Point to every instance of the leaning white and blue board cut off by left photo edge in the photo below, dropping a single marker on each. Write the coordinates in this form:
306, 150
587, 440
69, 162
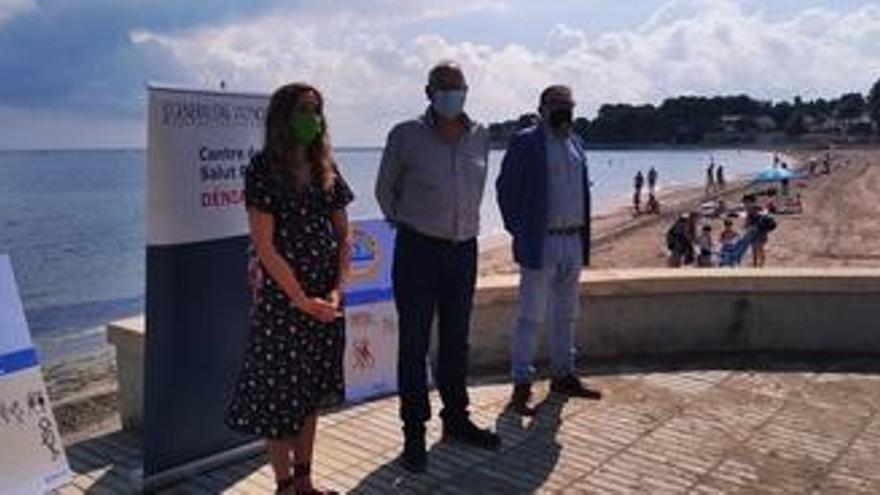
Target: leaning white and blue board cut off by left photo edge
32, 458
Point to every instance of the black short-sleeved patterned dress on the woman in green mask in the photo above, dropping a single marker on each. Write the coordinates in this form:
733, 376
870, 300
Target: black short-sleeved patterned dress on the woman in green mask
293, 364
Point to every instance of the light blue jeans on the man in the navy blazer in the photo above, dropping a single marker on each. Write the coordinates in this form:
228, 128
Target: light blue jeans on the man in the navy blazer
550, 294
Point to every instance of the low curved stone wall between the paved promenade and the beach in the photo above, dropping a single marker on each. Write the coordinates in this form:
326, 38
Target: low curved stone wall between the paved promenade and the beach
630, 313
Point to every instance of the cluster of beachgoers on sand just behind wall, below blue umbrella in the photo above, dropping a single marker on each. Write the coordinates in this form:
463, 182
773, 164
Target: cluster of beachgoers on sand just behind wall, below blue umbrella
690, 241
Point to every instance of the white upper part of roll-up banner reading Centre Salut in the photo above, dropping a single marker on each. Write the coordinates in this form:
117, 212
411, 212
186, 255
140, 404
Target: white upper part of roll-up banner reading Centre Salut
200, 144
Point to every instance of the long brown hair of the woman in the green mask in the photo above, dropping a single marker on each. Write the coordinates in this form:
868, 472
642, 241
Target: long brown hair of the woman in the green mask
279, 146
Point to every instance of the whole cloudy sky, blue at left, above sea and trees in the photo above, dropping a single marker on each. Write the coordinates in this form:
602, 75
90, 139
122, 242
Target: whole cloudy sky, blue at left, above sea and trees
73, 73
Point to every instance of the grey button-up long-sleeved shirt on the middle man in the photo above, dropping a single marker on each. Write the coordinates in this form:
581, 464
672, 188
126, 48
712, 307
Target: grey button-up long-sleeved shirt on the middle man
431, 185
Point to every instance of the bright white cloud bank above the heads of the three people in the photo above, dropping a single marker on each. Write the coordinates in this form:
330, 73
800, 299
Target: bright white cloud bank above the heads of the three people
372, 74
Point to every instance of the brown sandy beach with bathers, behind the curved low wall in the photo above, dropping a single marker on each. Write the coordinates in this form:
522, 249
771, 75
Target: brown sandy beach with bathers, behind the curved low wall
839, 226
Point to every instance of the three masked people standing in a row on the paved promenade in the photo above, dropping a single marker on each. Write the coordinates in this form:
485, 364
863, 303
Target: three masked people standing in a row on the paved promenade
430, 186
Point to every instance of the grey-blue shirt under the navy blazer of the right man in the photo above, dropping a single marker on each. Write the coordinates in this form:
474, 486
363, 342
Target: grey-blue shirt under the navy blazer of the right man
565, 169
